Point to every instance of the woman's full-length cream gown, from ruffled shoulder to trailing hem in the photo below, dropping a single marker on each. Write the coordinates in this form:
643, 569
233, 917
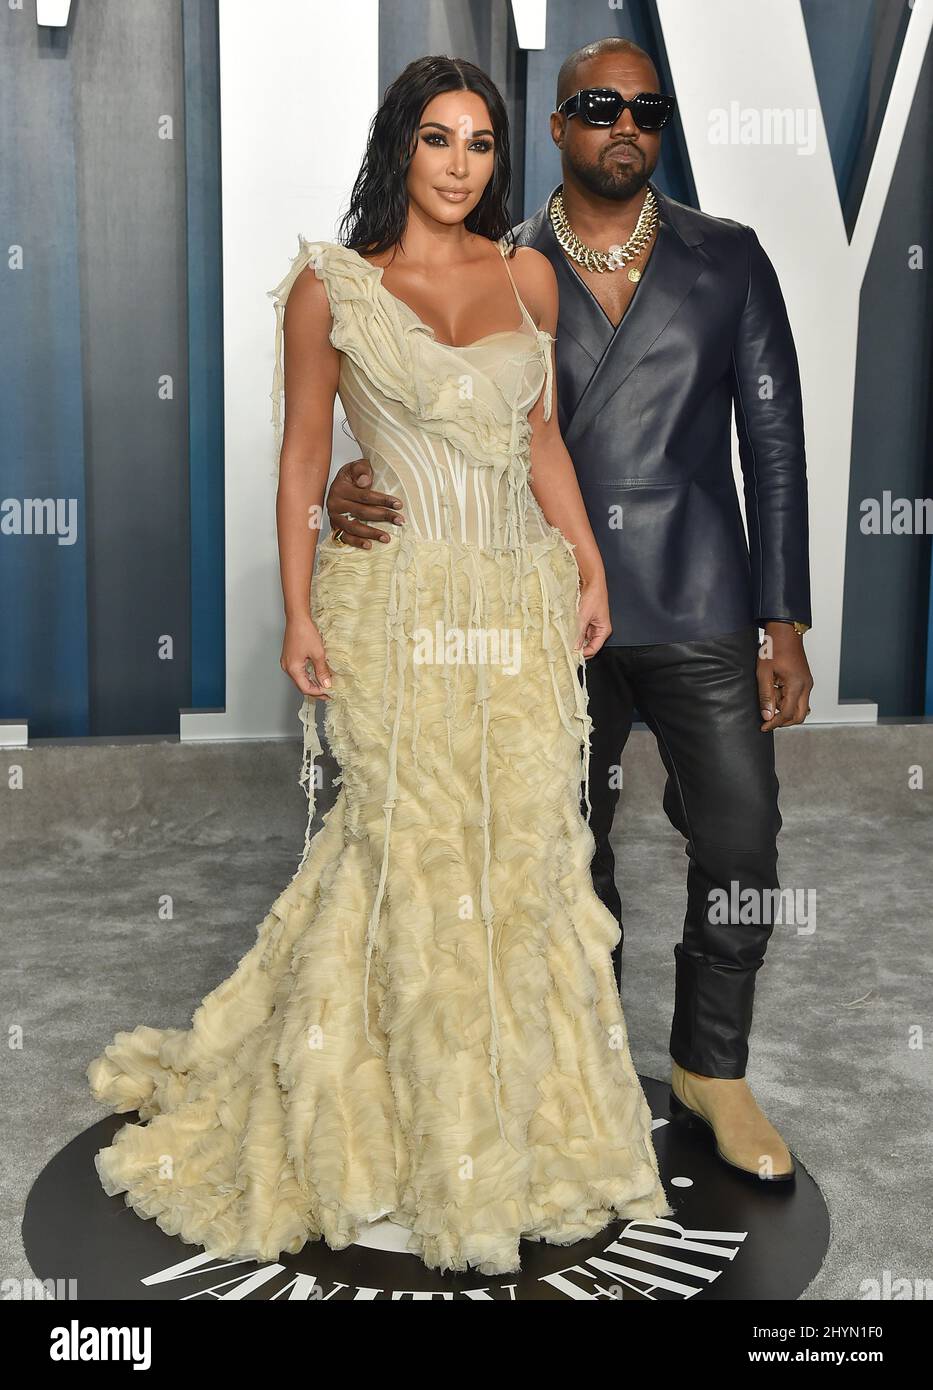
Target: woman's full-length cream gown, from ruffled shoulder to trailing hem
428, 1027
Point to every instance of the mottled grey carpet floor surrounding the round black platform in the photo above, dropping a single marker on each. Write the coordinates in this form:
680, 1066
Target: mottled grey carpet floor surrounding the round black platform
104, 832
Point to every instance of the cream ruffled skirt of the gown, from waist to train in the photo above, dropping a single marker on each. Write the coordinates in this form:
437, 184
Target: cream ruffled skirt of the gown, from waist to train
273, 1121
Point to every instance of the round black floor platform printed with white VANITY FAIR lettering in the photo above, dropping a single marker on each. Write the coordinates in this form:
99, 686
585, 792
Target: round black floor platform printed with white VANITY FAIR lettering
731, 1238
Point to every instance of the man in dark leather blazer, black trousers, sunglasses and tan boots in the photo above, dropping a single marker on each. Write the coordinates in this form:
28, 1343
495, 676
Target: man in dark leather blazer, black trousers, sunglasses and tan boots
650, 368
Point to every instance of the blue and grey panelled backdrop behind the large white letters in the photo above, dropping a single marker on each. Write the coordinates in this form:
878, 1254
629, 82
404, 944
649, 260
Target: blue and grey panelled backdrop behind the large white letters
112, 362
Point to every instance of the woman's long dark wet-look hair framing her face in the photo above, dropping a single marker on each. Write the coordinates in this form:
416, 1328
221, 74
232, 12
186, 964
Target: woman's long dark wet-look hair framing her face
379, 208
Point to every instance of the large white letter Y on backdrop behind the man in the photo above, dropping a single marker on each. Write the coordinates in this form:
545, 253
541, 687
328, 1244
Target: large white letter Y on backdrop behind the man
752, 60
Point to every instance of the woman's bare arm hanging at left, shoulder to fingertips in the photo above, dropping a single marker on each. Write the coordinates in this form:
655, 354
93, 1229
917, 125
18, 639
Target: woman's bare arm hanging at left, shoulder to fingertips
312, 369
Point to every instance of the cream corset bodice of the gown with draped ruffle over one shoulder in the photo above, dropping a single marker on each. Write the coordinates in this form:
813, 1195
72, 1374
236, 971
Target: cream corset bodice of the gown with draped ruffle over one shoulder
446, 427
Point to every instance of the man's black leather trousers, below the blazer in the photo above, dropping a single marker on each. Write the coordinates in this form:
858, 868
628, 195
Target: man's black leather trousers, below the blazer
700, 700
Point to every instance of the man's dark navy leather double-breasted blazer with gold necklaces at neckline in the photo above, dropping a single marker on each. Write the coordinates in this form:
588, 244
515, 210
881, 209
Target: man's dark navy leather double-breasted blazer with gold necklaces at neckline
646, 412
